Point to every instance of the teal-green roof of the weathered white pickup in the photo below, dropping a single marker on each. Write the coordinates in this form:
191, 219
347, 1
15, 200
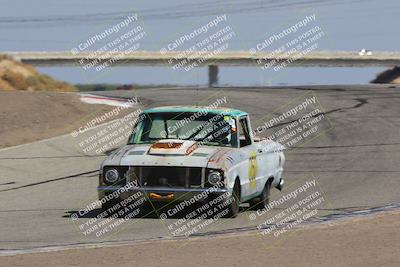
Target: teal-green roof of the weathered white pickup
182, 109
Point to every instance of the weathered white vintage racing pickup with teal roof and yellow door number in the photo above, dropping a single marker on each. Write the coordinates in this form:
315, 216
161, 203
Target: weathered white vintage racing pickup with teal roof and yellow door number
179, 152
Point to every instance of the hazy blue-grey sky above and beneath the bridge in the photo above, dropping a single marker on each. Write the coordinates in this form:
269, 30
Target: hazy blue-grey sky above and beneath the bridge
46, 25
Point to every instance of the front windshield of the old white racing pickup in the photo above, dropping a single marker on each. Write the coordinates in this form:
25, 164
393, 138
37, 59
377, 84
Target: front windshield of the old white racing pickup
207, 129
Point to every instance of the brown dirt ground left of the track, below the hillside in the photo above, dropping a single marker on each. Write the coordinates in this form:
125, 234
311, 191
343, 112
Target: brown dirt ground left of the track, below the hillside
31, 116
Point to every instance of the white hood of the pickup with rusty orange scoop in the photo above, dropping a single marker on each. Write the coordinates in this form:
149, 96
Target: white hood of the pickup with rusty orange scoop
188, 154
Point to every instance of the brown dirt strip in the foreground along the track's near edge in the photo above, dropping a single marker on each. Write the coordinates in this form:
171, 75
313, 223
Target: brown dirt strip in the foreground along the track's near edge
369, 241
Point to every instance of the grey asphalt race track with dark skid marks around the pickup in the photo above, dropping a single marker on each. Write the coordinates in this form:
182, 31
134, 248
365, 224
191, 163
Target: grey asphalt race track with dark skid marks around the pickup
356, 163
